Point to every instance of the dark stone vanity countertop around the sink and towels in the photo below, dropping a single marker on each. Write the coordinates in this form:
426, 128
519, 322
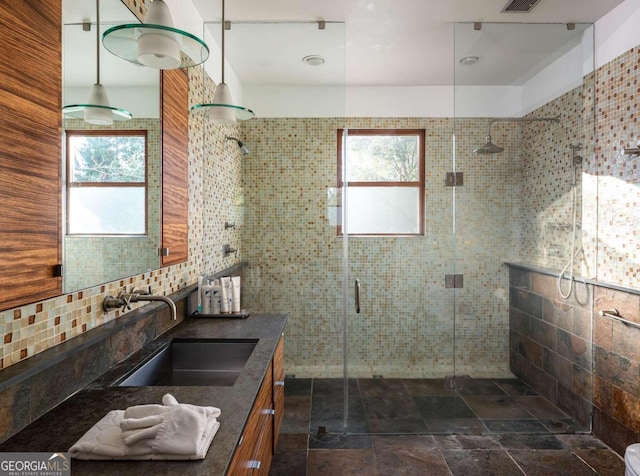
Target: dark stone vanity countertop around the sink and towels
60, 428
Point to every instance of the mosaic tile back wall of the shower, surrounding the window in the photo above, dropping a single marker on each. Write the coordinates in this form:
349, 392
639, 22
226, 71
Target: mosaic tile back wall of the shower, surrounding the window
407, 324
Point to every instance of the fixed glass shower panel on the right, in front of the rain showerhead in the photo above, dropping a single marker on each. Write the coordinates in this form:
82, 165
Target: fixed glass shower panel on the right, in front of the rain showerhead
525, 88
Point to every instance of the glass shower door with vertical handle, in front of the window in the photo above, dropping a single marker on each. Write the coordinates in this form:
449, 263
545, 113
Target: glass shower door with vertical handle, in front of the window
399, 329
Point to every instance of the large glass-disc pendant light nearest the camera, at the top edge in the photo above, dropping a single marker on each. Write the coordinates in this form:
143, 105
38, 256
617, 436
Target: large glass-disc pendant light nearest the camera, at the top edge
155, 42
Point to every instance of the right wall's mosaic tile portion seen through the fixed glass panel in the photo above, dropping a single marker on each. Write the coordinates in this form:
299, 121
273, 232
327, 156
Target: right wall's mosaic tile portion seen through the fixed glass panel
547, 193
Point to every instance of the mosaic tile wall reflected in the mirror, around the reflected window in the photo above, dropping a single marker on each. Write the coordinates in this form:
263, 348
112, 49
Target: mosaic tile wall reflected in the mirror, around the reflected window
90, 260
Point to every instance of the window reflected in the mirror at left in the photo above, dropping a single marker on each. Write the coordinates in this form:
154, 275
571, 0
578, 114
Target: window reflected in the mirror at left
107, 182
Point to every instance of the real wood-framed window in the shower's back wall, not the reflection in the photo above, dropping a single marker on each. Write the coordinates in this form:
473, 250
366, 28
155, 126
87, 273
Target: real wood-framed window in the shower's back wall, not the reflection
385, 181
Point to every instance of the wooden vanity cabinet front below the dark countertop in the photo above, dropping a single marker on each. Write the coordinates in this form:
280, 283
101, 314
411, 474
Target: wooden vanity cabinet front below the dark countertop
258, 441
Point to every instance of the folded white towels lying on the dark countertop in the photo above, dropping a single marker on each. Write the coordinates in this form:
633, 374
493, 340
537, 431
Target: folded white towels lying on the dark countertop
185, 432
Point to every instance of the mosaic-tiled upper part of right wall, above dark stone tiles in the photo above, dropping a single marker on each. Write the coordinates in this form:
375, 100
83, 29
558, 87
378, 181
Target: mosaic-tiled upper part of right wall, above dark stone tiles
608, 198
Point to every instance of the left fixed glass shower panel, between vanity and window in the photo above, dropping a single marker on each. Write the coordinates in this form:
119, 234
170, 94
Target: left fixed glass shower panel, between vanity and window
291, 201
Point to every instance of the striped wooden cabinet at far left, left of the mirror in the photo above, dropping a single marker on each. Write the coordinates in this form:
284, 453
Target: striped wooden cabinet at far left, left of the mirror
30, 145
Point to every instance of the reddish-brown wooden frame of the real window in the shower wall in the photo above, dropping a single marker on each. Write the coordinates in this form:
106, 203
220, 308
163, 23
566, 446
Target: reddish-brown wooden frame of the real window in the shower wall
420, 183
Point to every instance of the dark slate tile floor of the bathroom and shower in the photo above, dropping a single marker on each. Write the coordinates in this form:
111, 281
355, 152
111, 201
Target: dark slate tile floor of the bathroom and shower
420, 427
